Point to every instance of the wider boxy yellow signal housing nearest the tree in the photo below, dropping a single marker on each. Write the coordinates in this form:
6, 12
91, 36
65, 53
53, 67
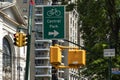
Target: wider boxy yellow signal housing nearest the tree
76, 58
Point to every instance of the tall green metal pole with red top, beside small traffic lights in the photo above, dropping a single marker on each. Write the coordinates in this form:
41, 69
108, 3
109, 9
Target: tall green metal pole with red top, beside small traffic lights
29, 39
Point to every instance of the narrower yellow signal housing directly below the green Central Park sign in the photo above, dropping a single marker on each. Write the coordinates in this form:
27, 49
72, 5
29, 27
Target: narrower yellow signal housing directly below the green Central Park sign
55, 55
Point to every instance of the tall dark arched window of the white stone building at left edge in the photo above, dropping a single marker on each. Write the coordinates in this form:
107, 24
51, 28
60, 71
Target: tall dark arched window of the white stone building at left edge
7, 60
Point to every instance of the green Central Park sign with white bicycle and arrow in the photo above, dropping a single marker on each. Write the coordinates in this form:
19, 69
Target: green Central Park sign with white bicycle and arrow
53, 22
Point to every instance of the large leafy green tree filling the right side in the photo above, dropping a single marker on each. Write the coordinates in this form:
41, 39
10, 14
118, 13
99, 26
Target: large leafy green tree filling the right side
100, 25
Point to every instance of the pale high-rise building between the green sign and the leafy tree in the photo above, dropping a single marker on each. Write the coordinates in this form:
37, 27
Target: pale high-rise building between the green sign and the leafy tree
71, 35
